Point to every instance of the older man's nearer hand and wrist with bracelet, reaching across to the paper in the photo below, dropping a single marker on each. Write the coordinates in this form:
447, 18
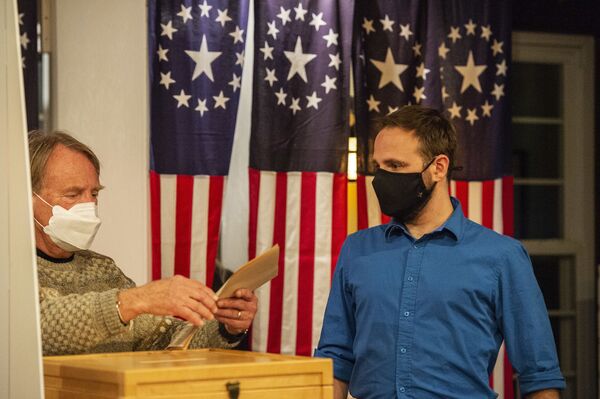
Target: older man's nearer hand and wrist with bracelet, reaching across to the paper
176, 296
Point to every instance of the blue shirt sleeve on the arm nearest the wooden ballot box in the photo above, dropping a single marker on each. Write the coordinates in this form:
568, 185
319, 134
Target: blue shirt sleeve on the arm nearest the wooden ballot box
337, 334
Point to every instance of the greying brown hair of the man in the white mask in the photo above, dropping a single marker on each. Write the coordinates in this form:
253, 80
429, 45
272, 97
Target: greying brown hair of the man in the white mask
41, 145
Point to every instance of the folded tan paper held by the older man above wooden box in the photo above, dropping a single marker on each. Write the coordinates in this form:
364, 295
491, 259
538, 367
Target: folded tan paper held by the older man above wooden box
252, 275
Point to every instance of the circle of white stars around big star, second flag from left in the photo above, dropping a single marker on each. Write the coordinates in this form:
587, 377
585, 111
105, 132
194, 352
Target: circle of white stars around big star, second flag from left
299, 61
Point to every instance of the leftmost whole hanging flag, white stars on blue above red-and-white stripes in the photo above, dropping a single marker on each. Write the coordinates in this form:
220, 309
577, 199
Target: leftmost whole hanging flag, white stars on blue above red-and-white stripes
196, 54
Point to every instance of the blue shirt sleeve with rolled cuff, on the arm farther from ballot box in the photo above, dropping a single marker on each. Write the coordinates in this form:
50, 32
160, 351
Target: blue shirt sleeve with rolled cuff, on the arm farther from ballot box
525, 325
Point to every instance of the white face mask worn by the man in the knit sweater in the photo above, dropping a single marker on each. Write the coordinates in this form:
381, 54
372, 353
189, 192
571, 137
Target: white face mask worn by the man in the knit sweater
72, 229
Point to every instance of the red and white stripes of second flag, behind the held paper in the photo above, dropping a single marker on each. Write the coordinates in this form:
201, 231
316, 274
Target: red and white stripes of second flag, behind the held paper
306, 214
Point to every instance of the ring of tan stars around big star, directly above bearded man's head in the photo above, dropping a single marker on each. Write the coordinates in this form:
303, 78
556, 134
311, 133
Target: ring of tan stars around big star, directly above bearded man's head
397, 67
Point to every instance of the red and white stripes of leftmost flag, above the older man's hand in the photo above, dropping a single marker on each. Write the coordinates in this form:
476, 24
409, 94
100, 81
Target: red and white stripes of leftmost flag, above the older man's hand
185, 214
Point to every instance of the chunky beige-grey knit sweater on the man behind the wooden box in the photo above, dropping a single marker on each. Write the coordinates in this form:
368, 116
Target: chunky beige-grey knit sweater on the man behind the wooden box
78, 312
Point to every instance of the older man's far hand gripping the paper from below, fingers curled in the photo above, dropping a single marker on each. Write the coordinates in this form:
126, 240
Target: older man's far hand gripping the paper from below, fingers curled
237, 312
